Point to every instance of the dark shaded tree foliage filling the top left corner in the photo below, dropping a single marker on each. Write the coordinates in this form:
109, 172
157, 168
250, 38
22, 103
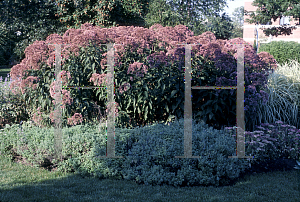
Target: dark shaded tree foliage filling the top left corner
33, 20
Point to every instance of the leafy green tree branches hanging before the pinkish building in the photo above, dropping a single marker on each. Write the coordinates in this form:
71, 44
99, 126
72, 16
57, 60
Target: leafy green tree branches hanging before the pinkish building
273, 9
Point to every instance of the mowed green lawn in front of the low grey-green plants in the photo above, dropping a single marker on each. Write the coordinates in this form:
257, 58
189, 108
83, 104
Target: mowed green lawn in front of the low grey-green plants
19, 182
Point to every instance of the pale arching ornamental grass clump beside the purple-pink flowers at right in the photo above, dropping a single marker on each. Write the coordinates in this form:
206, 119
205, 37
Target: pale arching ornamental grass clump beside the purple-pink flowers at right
284, 91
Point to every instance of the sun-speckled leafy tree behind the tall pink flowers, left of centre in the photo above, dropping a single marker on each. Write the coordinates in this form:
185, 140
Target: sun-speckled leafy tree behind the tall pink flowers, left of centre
106, 13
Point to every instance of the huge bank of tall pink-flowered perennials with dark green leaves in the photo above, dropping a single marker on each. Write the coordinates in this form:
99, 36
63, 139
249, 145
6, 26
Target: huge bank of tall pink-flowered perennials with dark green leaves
149, 74
